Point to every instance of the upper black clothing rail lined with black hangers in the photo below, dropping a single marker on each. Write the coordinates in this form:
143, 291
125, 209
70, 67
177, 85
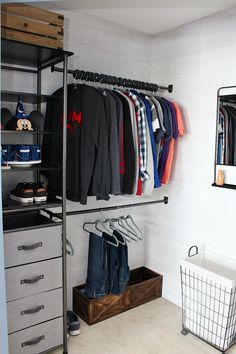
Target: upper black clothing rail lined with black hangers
114, 80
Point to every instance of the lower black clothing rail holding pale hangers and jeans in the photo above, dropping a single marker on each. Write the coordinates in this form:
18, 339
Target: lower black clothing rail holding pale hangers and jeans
115, 207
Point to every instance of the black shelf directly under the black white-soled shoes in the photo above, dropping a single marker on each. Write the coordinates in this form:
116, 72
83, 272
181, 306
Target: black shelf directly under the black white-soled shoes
14, 207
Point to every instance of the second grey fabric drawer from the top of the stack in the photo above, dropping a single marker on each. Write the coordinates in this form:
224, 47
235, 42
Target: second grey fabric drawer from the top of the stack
33, 278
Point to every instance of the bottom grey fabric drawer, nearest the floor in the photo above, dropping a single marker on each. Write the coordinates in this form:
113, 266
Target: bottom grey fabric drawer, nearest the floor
37, 339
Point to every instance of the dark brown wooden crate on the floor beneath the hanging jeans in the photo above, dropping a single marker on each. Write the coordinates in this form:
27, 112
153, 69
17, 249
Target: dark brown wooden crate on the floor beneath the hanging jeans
145, 285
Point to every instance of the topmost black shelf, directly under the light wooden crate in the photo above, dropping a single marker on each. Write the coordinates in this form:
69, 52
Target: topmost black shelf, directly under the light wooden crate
30, 55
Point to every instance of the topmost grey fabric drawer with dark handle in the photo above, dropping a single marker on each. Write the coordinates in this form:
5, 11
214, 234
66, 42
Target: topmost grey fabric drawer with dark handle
32, 245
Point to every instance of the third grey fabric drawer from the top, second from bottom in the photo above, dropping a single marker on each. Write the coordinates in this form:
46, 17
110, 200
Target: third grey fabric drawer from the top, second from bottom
34, 309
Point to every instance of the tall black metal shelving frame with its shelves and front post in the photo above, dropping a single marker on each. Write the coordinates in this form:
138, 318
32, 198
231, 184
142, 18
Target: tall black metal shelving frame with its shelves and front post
32, 59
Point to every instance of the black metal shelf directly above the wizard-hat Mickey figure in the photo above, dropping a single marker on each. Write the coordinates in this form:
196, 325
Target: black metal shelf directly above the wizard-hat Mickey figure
27, 97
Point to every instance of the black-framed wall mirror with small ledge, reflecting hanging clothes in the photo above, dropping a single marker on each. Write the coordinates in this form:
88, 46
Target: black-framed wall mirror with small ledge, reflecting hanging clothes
225, 149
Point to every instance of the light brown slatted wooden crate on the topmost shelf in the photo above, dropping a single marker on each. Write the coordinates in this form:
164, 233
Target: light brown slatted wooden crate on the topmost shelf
28, 24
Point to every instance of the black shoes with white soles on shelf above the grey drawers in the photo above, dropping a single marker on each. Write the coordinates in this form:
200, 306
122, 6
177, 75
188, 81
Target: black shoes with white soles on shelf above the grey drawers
29, 193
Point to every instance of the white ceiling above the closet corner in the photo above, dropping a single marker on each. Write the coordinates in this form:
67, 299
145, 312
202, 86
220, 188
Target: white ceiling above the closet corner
149, 16
